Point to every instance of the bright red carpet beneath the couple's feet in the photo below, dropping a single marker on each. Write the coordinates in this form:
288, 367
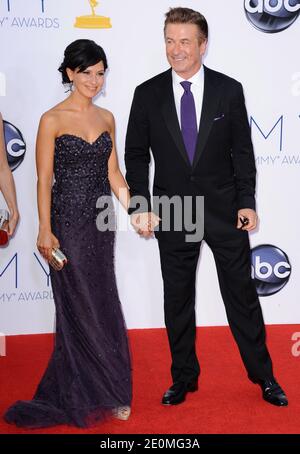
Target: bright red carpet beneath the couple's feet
225, 403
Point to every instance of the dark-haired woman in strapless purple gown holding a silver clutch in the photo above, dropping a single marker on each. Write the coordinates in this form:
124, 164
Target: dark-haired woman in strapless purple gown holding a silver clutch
89, 374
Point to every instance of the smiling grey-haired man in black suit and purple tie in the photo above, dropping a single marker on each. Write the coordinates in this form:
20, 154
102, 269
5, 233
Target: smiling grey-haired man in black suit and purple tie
195, 122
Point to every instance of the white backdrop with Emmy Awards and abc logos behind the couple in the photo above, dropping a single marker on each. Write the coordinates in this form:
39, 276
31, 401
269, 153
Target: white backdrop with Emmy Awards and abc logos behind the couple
254, 41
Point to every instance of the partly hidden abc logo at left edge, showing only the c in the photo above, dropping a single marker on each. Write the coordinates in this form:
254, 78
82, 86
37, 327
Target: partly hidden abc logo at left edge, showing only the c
15, 145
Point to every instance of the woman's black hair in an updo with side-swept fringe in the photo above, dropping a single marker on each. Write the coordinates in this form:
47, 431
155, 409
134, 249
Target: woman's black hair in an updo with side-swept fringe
81, 54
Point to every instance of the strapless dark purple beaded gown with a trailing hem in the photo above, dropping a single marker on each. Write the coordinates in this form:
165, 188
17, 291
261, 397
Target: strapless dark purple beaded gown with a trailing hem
89, 372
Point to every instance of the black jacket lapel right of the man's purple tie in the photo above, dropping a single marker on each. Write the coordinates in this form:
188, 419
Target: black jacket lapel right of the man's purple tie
211, 99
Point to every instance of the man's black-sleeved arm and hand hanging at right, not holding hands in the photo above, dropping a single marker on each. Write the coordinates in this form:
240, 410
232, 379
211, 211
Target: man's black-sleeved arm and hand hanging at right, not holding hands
243, 161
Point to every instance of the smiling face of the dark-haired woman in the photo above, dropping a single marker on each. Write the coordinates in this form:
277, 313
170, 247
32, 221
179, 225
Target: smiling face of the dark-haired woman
88, 82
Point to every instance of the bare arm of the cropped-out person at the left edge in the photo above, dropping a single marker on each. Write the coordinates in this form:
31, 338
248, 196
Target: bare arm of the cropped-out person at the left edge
7, 185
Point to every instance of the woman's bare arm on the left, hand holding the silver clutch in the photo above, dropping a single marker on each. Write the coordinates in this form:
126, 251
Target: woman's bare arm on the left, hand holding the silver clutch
45, 146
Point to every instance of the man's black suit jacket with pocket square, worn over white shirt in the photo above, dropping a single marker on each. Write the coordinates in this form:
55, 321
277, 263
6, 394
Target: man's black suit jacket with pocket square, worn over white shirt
223, 170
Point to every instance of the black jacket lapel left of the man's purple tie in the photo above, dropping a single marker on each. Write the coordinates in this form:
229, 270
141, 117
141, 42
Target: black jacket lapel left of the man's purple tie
170, 115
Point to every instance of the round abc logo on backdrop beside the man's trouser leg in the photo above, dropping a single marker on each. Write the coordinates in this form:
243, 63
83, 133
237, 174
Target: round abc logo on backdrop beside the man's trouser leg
271, 269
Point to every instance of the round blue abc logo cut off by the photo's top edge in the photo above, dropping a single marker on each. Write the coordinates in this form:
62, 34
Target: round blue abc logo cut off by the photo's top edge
272, 16
